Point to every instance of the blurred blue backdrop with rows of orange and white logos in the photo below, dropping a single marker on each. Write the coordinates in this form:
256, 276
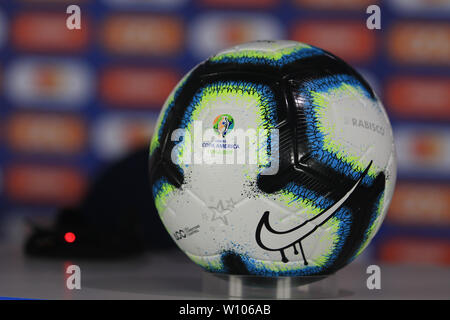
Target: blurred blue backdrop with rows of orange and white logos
72, 101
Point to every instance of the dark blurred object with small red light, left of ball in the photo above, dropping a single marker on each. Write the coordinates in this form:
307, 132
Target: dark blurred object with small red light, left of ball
116, 218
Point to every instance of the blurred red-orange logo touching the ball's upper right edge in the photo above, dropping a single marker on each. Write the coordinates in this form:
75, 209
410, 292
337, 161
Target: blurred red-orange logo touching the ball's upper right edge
349, 40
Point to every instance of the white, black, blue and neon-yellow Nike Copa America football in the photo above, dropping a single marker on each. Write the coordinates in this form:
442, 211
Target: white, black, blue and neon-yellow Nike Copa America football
272, 158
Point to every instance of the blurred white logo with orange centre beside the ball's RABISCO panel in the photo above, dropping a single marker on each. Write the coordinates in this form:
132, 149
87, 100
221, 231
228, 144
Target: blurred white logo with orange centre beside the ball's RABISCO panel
423, 149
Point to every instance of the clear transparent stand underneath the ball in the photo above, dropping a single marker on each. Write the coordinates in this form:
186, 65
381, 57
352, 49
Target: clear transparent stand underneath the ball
255, 287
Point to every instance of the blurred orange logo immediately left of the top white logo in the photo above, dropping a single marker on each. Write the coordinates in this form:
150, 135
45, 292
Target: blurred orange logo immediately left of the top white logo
142, 34
